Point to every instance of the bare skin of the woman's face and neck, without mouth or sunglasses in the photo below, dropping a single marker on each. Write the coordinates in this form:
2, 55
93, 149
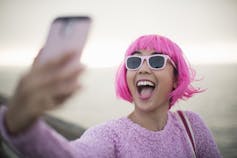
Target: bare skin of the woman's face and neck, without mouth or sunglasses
151, 113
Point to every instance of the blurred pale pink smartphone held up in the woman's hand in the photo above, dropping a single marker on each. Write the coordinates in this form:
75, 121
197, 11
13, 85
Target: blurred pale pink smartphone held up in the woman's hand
66, 34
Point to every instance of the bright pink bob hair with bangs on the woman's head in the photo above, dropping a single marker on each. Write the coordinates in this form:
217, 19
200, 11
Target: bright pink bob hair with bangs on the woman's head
184, 73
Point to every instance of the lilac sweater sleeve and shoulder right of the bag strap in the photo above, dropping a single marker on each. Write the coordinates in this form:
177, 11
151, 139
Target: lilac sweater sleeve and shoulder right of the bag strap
205, 143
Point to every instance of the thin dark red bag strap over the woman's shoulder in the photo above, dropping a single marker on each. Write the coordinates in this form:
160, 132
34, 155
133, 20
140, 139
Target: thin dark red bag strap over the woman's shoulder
188, 129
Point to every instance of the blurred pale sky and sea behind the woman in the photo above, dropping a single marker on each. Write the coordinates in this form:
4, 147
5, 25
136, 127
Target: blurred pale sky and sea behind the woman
205, 30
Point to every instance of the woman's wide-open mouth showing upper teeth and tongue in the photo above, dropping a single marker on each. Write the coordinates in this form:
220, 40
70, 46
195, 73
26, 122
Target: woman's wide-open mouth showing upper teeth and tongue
145, 88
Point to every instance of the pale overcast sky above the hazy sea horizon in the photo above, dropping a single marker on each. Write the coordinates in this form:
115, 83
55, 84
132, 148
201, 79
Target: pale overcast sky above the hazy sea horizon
203, 28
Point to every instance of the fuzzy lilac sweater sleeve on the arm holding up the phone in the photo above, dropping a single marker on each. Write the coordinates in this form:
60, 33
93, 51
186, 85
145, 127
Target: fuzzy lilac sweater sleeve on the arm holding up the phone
40, 141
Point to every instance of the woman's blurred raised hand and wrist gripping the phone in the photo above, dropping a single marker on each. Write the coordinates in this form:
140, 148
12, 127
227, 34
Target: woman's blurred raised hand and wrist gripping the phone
43, 88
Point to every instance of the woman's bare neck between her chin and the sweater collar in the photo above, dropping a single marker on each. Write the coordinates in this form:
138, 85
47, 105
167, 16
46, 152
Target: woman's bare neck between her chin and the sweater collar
154, 120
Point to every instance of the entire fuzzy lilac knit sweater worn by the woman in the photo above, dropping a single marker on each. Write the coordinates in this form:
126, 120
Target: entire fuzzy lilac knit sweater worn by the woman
120, 138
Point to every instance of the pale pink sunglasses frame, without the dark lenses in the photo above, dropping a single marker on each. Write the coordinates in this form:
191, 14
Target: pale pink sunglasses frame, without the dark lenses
147, 57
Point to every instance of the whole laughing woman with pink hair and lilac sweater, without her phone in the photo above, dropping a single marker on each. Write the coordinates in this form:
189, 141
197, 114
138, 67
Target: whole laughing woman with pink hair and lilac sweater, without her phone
153, 77
